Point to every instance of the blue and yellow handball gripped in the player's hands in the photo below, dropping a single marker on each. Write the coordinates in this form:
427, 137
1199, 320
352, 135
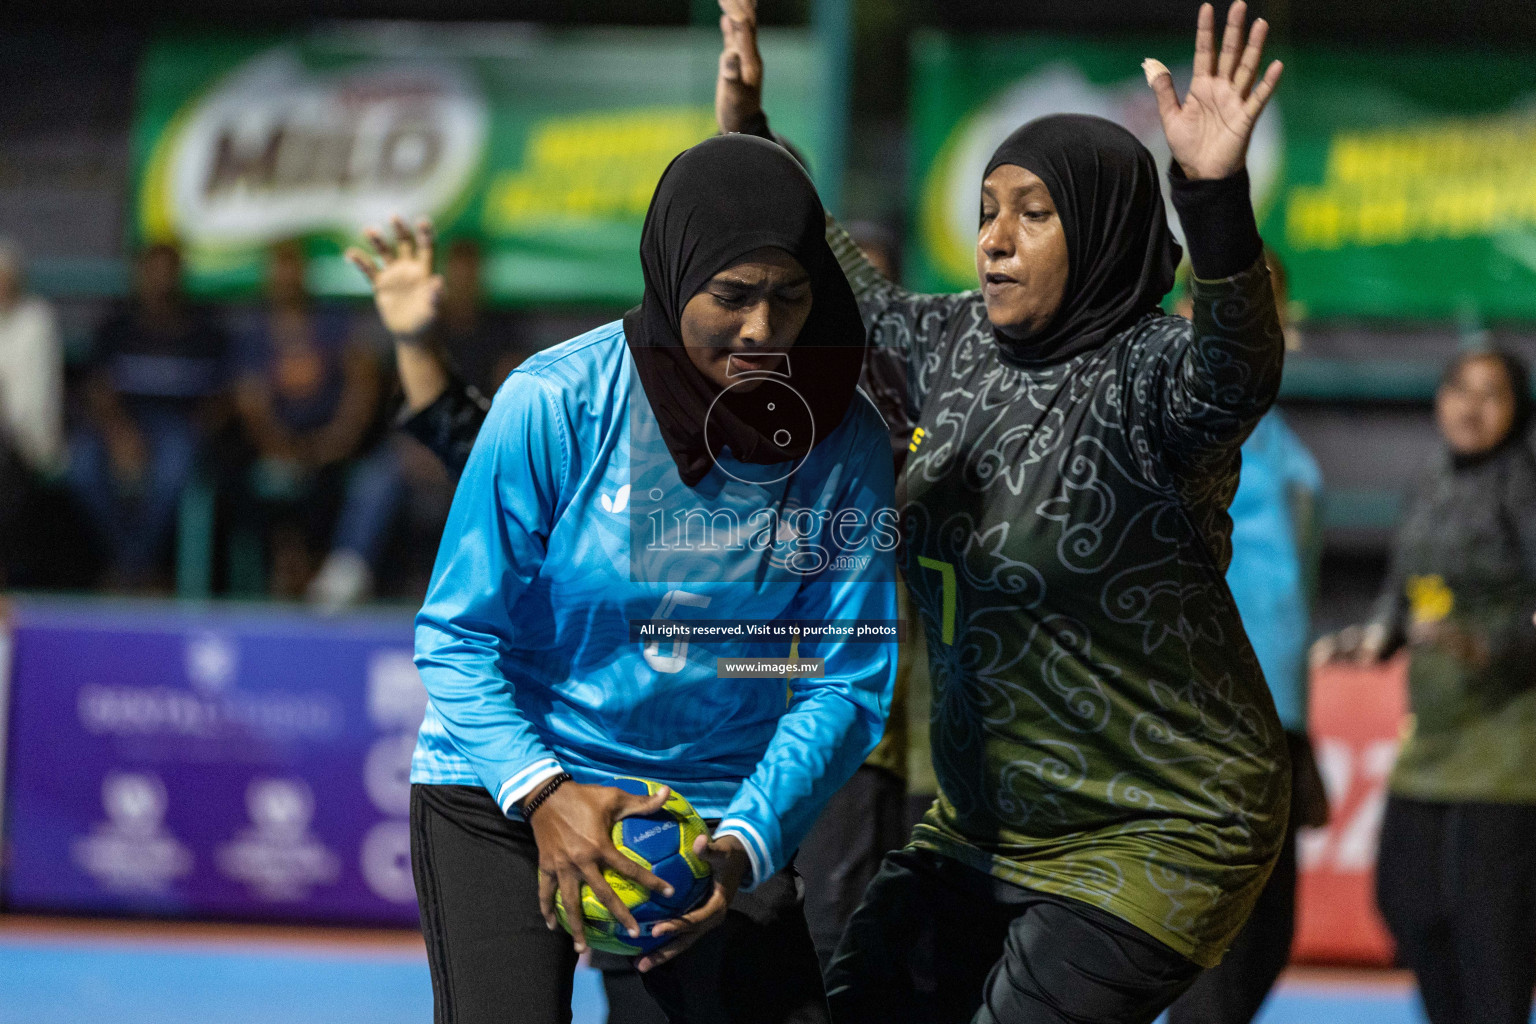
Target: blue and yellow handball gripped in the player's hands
663, 844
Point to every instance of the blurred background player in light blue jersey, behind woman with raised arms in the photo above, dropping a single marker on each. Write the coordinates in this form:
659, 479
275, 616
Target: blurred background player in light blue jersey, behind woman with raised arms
1274, 558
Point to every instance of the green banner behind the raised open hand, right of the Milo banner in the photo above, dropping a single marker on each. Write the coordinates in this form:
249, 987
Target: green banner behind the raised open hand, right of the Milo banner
1392, 187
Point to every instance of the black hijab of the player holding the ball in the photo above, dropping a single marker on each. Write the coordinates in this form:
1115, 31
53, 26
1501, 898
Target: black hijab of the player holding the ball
717, 203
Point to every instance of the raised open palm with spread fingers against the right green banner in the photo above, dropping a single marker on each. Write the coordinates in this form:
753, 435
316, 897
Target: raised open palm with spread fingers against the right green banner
1210, 131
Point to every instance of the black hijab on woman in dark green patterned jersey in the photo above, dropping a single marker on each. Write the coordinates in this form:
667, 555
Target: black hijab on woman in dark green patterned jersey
1122, 256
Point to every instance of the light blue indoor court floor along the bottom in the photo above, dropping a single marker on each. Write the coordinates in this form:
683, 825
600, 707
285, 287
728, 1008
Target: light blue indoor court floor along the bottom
58, 971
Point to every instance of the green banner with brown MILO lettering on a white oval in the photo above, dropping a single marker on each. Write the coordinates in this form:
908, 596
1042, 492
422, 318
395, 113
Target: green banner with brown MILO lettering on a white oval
541, 145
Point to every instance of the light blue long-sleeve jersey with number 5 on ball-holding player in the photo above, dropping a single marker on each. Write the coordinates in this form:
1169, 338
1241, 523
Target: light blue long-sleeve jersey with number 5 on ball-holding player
569, 523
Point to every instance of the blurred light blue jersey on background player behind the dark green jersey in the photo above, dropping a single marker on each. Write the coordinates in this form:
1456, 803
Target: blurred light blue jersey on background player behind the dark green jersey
1266, 575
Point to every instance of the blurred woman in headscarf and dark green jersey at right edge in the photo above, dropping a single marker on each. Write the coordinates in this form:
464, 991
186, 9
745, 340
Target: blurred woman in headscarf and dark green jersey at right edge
1457, 873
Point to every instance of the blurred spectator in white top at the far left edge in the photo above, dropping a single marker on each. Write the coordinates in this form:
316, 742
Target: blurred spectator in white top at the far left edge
31, 401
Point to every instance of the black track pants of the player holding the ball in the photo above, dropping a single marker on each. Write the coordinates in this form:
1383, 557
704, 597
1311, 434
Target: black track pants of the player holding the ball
494, 962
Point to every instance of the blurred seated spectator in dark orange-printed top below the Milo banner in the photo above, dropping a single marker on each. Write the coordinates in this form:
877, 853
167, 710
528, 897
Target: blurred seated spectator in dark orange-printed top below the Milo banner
308, 395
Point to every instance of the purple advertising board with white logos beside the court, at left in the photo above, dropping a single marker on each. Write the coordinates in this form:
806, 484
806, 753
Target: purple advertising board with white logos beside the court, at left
234, 764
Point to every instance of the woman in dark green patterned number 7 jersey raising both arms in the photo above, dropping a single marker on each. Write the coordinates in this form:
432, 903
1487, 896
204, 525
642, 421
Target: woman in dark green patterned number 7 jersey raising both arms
1113, 776
